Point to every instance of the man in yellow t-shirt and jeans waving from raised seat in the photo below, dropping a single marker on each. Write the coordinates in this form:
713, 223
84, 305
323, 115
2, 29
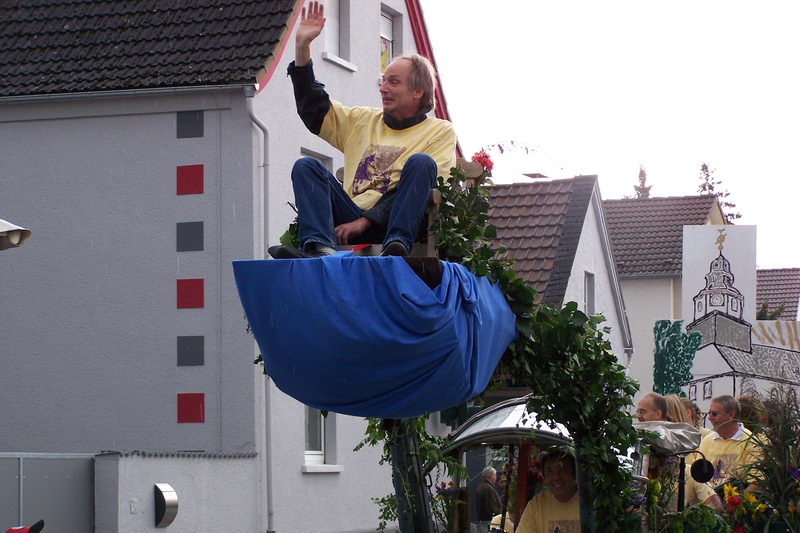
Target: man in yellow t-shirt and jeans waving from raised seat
392, 155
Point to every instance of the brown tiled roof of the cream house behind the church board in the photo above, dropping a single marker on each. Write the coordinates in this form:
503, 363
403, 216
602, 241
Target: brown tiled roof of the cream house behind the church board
647, 233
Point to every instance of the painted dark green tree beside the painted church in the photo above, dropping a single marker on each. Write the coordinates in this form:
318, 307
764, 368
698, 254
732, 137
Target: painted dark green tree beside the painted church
674, 355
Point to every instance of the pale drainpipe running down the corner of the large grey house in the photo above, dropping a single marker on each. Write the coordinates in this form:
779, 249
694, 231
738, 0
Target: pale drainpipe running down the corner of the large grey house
260, 234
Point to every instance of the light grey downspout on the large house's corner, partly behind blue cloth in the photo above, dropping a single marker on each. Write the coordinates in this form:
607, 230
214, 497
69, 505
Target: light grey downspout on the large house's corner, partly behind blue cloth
259, 251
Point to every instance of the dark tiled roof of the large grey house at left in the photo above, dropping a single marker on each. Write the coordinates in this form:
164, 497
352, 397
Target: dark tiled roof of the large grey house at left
67, 46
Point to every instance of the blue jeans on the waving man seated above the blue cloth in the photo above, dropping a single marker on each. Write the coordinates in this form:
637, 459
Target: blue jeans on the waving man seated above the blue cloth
322, 203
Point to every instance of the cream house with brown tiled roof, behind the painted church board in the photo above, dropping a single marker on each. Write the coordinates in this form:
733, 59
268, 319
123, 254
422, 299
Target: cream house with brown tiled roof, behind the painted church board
647, 239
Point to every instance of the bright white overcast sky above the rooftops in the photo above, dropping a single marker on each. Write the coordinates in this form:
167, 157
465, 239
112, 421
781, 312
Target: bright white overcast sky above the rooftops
603, 87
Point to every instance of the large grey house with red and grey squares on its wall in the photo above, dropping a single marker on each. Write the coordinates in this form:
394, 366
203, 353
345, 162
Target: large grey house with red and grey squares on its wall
148, 144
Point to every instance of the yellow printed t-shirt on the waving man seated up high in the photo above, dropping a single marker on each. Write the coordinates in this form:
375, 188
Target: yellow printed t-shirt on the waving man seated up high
374, 154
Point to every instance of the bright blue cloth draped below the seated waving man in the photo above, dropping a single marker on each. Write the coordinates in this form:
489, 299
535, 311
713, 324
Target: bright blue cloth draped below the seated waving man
366, 336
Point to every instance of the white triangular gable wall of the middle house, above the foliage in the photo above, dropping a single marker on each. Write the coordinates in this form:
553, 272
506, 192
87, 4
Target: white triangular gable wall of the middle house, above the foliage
590, 256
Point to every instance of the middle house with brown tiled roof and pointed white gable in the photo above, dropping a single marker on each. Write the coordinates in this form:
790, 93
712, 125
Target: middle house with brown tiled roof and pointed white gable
556, 233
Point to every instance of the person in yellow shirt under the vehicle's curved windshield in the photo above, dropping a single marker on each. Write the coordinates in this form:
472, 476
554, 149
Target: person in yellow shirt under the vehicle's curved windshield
555, 508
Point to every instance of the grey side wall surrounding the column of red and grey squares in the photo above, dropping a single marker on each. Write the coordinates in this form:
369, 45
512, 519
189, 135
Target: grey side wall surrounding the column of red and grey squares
90, 320
